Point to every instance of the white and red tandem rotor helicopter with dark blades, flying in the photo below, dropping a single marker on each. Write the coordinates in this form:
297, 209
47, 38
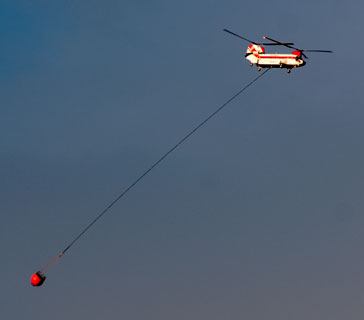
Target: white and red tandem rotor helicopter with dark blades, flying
257, 56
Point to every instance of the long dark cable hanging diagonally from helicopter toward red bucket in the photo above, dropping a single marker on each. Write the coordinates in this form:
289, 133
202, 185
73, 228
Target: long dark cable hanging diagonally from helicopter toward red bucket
122, 194
